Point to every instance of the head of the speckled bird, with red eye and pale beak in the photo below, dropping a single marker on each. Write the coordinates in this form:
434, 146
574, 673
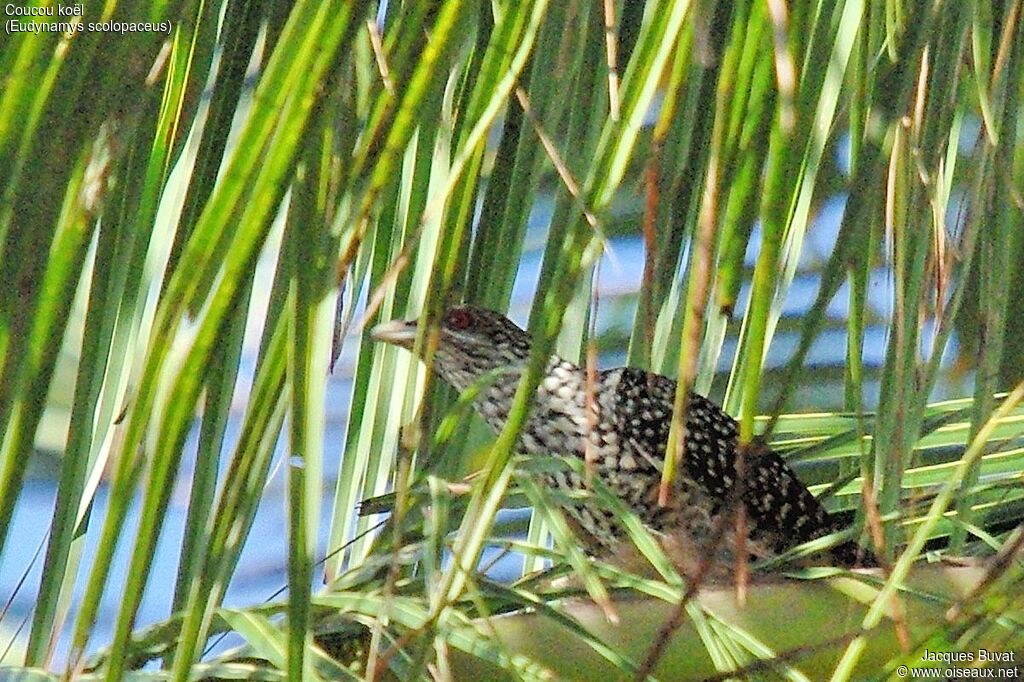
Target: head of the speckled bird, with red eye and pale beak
474, 342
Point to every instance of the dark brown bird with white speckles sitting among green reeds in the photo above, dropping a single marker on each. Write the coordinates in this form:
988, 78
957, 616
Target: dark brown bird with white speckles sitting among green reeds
622, 425
